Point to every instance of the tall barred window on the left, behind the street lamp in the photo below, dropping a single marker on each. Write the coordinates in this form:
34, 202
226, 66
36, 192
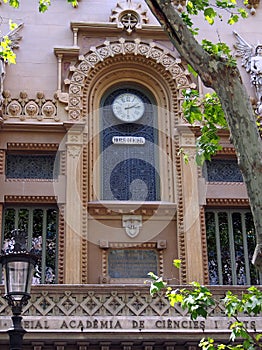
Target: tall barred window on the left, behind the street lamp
41, 225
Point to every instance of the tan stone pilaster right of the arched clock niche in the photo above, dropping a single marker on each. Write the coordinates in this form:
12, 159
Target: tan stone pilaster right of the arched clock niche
191, 209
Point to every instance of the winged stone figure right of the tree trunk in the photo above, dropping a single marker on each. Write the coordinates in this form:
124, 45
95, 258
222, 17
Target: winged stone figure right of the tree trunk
252, 61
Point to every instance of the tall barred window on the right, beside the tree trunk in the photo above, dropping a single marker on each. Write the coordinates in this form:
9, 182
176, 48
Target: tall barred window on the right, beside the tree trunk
231, 242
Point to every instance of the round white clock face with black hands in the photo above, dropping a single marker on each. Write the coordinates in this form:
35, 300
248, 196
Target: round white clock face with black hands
128, 107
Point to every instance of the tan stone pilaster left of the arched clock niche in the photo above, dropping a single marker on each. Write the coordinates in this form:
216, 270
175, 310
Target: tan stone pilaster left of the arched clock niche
73, 207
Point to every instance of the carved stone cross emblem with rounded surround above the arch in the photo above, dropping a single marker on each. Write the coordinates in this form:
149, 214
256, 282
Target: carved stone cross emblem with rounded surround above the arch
129, 15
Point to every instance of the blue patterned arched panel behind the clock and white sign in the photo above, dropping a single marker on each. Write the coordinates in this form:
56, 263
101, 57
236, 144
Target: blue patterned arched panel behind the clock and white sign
129, 171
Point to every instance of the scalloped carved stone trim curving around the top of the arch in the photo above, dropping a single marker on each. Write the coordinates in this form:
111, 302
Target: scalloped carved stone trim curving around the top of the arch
87, 62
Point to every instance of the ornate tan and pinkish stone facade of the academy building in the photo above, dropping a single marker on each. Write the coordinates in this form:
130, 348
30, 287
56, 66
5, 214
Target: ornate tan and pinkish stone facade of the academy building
53, 106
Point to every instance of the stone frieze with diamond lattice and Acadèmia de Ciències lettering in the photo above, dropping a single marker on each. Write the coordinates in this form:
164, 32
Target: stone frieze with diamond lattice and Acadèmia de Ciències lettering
86, 308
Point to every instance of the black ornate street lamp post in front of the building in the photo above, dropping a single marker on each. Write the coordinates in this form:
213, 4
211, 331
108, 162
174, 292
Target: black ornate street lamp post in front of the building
18, 266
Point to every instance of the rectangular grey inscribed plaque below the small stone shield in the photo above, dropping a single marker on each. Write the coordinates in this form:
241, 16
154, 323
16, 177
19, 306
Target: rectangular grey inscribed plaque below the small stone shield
132, 263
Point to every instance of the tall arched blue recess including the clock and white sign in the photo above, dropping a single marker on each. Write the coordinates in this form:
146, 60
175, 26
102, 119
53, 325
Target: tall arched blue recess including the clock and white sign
129, 145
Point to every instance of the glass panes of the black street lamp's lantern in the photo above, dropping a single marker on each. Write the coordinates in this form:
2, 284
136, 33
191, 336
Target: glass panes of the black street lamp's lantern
20, 276
